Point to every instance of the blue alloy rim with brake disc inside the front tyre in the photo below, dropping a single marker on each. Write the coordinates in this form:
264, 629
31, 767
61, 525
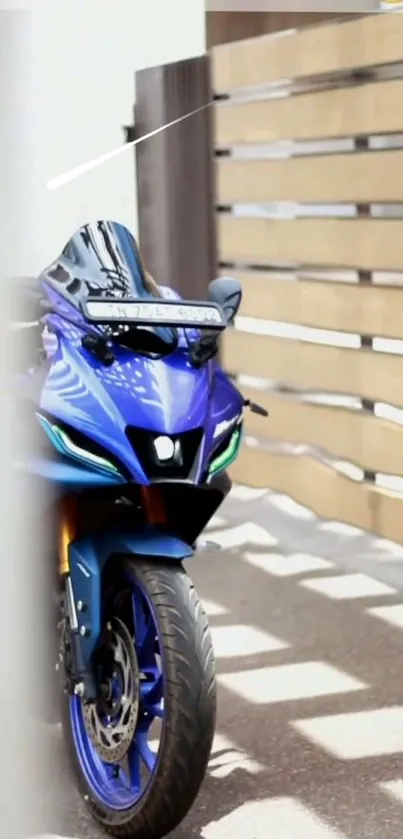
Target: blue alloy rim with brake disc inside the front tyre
111, 738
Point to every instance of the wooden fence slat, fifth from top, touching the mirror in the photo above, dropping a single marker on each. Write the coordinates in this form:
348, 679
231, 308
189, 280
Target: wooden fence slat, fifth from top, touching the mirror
342, 307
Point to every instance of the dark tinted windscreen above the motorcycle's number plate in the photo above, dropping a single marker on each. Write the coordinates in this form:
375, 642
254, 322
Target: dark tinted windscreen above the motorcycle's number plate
102, 259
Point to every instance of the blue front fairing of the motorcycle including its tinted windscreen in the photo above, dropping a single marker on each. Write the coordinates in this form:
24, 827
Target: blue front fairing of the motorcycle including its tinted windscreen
162, 396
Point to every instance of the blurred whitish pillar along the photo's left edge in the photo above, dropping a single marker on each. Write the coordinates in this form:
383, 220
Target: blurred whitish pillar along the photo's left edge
22, 764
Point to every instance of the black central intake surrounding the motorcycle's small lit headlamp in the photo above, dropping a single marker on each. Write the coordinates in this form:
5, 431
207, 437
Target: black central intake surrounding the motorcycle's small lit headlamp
179, 467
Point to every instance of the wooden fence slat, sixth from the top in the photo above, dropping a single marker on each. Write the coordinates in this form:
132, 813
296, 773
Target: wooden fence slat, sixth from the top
313, 367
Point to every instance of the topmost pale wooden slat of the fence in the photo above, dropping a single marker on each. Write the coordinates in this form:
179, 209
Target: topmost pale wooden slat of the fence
371, 40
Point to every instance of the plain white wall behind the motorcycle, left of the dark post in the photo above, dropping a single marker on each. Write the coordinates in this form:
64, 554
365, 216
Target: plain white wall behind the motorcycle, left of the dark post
85, 55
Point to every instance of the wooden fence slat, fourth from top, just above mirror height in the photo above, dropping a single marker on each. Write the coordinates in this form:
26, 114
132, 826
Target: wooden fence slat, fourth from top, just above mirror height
345, 243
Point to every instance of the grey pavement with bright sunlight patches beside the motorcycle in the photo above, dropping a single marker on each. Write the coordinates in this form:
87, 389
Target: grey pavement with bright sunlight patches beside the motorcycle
307, 621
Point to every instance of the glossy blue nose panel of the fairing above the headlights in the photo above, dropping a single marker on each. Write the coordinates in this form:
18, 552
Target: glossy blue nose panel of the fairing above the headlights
166, 396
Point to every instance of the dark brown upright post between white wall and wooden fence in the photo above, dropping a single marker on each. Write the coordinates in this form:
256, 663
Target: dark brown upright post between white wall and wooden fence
175, 175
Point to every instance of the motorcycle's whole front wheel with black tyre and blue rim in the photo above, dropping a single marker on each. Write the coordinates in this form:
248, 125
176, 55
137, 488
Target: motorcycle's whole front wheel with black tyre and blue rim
140, 753
